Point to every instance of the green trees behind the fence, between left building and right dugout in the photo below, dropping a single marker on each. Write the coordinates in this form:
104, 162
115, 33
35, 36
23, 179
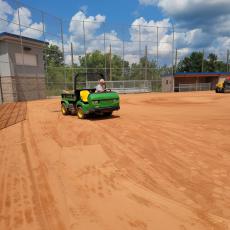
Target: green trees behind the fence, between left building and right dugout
112, 66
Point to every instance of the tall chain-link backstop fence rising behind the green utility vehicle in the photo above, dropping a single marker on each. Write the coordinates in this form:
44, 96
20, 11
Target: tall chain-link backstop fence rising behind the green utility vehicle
143, 50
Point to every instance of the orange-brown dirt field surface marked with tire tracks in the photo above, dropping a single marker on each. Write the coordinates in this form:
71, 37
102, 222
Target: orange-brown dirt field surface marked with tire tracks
160, 163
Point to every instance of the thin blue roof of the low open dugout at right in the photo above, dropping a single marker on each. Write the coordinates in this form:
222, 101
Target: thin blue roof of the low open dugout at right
197, 74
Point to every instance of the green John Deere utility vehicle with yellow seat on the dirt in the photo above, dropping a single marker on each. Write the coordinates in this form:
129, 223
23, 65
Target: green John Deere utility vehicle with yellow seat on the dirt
87, 101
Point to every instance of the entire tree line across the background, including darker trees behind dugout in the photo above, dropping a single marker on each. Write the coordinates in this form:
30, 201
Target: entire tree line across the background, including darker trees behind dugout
113, 67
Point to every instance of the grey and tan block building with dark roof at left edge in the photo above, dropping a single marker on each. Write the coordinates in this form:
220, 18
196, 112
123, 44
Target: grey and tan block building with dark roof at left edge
22, 74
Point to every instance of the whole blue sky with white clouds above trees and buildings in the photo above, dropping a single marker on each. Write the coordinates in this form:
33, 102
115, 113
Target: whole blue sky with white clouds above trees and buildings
199, 25
